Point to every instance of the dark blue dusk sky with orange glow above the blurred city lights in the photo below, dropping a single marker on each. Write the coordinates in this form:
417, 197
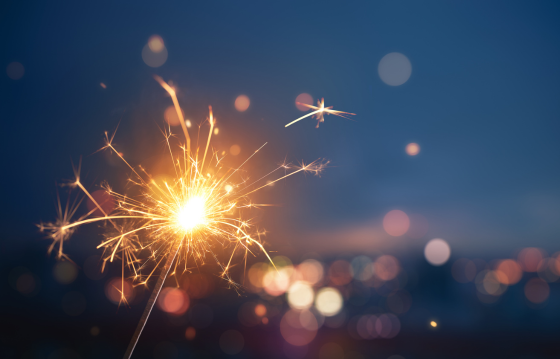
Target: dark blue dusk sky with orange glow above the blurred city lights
482, 102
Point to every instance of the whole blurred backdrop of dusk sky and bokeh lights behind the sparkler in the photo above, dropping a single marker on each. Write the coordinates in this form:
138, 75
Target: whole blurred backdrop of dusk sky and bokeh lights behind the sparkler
433, 233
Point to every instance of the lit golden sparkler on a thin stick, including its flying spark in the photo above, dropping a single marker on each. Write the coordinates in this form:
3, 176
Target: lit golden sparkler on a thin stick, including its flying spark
200, 209
